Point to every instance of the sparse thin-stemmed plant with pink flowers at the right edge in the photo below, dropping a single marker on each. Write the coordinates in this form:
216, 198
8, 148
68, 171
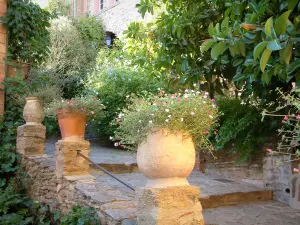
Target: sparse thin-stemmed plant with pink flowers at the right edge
290, 138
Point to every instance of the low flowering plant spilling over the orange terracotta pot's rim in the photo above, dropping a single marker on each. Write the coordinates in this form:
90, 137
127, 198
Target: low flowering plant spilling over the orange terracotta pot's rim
87, 104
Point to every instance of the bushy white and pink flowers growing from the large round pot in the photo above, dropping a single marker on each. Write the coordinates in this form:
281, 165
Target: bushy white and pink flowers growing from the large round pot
191, 112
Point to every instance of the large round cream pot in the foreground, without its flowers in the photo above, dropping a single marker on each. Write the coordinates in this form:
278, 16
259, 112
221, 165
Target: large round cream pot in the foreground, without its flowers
166, 158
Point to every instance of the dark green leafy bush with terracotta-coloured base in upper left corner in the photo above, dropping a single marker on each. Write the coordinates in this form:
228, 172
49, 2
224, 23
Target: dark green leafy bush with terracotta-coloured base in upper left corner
28, 36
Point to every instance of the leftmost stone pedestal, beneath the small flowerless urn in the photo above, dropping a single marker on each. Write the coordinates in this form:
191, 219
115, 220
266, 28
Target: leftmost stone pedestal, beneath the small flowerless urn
31, 139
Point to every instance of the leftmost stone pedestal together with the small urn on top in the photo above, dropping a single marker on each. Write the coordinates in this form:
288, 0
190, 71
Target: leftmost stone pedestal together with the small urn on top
32, 135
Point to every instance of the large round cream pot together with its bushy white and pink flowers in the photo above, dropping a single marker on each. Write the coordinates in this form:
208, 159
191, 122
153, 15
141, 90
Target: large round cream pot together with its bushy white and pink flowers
165, 130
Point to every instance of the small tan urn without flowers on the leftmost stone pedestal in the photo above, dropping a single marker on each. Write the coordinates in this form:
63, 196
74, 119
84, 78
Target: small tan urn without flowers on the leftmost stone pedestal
33, 111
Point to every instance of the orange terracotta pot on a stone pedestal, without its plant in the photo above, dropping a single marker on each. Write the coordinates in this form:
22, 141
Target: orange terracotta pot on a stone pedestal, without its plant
71, 123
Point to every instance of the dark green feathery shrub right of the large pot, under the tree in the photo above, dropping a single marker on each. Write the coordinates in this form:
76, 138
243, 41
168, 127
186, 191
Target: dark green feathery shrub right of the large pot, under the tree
241, 129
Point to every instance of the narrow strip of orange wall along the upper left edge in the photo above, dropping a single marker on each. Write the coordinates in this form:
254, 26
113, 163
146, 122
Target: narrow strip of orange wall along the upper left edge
3, 41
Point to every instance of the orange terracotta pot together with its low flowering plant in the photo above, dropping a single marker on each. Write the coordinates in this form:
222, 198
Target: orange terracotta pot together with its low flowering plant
72, 114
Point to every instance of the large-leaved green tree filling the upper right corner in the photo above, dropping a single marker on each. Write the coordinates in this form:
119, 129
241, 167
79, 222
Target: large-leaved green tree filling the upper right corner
235, 32
